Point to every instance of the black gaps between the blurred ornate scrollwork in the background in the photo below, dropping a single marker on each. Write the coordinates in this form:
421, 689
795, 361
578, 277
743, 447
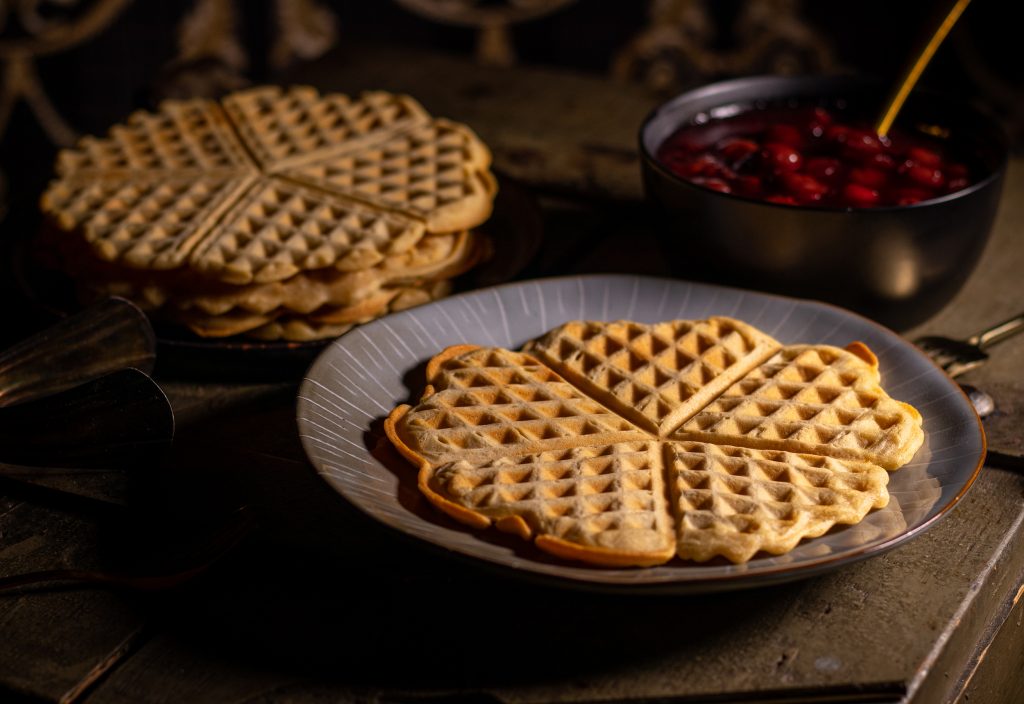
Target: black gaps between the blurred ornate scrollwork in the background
132, 64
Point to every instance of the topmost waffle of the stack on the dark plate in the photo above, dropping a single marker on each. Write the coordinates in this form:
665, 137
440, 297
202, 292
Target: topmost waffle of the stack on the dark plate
437, 181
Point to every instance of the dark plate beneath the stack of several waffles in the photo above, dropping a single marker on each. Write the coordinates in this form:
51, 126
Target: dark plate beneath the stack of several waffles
515, 230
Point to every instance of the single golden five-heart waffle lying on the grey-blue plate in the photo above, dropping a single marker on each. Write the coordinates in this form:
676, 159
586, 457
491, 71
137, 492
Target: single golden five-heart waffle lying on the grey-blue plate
622, 444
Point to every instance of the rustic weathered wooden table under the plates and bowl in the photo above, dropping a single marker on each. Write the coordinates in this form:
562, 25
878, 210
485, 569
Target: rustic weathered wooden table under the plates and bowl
320, 604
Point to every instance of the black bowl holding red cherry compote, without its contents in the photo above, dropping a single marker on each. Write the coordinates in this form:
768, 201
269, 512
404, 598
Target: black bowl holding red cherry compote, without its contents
897, 265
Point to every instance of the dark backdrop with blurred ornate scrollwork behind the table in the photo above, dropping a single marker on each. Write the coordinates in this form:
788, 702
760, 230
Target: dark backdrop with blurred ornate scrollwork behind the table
206, 48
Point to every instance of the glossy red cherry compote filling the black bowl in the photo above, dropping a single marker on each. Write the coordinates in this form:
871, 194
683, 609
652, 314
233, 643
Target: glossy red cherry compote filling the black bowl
814, 156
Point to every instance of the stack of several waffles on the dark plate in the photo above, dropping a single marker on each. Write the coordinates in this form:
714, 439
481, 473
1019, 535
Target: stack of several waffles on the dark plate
275, 213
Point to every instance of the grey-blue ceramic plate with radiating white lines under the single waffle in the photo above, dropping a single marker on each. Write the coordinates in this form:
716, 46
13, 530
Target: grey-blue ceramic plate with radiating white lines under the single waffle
357, 382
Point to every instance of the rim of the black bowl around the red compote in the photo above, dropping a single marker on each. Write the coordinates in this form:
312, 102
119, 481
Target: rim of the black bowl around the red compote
727, 87
